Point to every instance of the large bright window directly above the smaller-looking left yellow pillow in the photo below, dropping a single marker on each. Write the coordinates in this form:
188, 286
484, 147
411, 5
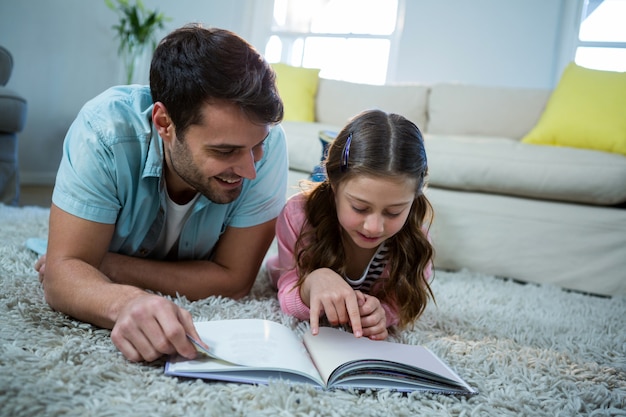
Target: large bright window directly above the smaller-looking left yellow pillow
349, 40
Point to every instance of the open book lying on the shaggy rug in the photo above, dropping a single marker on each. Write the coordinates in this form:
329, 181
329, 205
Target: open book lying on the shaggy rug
255, 351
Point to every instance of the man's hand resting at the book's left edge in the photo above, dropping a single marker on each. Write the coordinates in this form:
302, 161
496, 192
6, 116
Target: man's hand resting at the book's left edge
151, 326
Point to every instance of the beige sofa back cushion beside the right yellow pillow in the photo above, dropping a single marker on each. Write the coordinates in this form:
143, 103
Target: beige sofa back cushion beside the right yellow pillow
458, 109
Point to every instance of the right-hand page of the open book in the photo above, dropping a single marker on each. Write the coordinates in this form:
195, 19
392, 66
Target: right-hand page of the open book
333, 347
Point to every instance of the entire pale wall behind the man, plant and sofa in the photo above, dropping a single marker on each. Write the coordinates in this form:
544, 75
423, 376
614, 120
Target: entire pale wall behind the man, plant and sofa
65, 52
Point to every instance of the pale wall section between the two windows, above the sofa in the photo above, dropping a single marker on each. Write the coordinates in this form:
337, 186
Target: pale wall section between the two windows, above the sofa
488, 42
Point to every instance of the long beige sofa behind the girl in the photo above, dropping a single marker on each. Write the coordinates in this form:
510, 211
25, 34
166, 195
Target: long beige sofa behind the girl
535, 213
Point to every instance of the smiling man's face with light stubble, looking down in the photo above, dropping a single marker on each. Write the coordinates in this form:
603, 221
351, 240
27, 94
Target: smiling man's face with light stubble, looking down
214, 156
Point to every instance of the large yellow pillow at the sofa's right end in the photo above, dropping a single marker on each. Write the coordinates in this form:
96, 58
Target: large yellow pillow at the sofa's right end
587, 109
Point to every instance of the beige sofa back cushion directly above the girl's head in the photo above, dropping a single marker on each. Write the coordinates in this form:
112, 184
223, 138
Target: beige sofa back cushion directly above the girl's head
339, 101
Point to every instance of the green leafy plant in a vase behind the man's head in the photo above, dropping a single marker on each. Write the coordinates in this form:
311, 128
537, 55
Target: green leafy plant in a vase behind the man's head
136, 31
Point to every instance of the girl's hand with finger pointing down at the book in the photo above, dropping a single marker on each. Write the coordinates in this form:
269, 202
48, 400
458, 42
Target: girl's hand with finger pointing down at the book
325, 292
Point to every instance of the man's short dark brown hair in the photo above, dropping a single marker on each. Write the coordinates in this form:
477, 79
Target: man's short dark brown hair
193, 65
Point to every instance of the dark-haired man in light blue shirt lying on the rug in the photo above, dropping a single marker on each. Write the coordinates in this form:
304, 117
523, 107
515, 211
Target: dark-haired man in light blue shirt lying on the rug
173, 189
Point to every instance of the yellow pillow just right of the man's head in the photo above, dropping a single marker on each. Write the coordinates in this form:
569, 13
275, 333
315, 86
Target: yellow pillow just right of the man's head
297, 87
